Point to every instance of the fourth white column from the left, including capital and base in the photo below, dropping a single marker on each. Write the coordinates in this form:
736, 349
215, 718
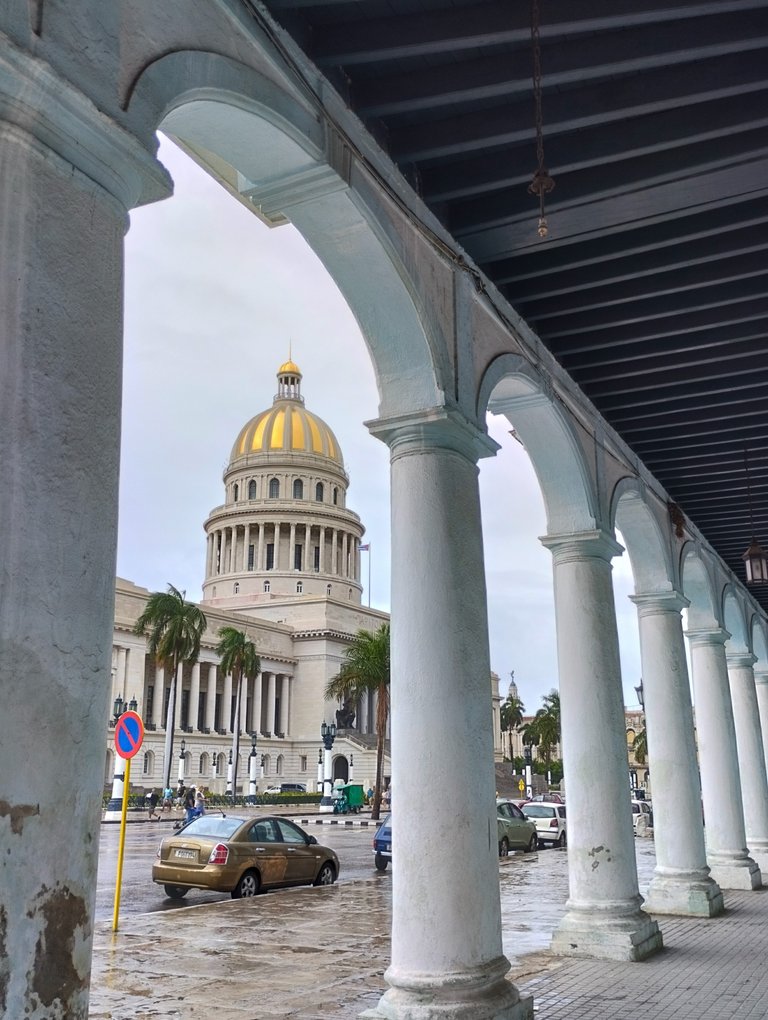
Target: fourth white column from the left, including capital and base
682, 883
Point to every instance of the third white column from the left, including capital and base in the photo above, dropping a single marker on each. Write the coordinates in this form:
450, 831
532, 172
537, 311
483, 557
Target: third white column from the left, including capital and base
604, 916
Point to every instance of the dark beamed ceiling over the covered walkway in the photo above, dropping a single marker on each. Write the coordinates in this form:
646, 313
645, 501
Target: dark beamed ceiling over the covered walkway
650, 288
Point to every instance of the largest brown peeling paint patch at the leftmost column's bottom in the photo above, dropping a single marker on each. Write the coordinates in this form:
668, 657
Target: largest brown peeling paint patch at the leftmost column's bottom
57, 984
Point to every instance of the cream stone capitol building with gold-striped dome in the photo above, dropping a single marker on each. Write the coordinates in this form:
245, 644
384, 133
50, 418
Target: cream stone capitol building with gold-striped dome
282, 564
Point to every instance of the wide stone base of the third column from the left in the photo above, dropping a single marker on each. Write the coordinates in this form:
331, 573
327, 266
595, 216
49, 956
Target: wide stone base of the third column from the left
598, 936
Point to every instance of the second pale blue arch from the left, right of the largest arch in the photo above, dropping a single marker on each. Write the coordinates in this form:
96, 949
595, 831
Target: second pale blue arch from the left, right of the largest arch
513, 388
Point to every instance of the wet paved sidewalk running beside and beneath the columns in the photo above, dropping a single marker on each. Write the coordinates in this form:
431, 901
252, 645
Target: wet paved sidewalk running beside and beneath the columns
321, 955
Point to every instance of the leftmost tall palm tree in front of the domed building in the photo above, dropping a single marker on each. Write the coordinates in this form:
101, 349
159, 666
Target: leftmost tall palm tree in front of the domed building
175, 630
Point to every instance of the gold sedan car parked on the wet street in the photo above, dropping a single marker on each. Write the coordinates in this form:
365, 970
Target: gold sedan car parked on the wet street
242, 856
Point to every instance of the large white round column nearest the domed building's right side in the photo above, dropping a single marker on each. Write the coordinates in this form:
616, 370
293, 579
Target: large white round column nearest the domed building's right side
447, 958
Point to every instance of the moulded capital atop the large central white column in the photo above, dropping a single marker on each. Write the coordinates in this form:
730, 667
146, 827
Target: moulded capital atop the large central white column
435, 429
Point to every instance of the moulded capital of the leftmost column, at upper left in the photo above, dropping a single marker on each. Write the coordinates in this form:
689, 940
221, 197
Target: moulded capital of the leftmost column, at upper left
65, 121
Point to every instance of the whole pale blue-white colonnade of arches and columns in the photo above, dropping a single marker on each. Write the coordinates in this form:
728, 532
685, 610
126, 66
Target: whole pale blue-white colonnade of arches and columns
77, 142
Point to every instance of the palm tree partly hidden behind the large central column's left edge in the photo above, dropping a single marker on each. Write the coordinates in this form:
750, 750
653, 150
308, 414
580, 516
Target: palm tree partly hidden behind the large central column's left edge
367, 670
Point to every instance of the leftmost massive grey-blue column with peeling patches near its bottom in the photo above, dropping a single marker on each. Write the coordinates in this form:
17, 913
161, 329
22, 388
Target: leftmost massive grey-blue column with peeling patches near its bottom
69, 178
